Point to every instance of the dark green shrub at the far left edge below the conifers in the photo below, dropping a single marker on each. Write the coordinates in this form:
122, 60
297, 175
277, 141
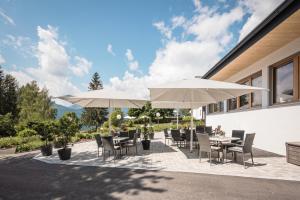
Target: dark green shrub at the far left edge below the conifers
7, 125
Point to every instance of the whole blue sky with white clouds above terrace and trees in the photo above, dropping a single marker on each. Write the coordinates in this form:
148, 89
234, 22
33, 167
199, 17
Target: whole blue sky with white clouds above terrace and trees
132, 44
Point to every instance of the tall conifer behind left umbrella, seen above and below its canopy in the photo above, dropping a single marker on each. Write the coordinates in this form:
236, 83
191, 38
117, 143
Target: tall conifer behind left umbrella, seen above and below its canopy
94, 116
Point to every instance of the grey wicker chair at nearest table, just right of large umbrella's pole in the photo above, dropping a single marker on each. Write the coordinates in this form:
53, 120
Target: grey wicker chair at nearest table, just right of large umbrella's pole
204, 146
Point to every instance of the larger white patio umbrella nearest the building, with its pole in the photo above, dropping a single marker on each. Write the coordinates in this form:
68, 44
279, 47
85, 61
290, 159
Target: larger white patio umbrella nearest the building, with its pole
196, 92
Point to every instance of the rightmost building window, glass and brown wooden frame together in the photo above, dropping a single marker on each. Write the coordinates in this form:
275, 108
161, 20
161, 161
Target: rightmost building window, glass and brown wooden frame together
285, 80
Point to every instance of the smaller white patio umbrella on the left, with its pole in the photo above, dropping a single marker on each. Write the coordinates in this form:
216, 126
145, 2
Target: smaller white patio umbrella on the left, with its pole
105, 98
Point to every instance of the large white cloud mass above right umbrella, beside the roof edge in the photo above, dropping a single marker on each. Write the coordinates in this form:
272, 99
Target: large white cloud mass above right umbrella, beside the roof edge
179, 59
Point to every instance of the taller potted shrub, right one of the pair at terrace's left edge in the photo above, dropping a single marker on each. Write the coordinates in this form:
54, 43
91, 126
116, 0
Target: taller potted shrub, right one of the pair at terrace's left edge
68, 126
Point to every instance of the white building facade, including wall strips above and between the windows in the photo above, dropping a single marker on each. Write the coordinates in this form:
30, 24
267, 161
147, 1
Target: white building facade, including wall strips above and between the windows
273, 125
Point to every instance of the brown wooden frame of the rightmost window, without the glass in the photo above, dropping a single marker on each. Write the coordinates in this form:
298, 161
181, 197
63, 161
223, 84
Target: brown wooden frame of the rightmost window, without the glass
295, 59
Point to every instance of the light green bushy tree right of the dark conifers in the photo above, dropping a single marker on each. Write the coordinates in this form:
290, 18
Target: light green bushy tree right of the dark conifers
34, 104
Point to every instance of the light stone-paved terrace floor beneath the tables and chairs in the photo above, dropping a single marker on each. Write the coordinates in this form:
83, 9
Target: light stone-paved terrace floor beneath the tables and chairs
171, 158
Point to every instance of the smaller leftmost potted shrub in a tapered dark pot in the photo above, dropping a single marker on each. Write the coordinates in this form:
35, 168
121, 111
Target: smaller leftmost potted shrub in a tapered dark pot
47, 129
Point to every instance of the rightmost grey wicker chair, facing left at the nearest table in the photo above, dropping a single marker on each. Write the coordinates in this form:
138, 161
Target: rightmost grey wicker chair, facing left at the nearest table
245, 148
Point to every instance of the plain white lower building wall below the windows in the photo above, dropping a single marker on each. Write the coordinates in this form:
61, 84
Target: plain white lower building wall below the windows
273, 126
